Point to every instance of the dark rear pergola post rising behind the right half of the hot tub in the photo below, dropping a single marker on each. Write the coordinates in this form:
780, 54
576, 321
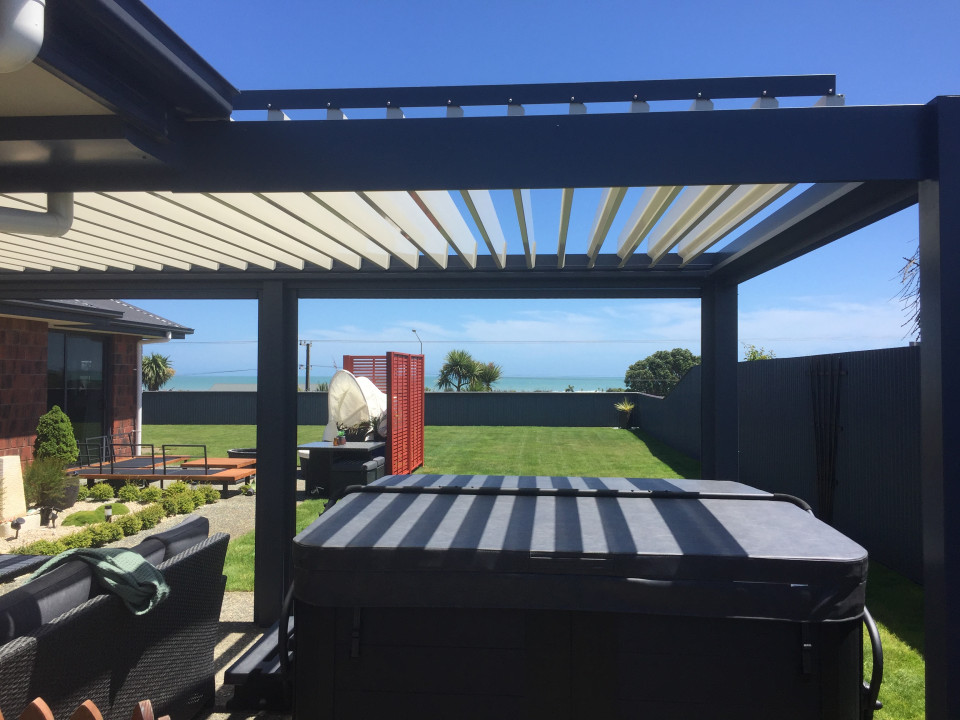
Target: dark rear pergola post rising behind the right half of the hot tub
719, 414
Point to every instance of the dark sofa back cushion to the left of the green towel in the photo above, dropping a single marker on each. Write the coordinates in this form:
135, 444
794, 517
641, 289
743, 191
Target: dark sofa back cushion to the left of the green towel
41, 600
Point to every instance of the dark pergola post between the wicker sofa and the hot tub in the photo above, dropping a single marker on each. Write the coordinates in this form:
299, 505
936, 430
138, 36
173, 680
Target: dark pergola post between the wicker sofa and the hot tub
276, 448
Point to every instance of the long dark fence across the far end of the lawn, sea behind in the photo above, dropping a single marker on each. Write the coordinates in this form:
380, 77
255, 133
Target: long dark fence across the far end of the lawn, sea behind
505, 408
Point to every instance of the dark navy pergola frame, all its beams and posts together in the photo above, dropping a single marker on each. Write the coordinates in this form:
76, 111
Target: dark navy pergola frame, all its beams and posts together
900, 154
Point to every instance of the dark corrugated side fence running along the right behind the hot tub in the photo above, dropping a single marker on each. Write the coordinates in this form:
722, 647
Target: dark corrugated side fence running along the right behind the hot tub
852, 418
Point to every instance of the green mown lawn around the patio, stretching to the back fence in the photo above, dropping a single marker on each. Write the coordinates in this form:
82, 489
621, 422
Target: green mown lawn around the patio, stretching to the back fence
896, 603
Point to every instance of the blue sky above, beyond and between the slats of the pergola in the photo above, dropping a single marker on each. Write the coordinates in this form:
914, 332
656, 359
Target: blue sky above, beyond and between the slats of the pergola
842, 297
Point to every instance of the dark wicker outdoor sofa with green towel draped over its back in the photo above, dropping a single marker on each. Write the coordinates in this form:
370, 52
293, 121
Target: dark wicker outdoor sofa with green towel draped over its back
101, 651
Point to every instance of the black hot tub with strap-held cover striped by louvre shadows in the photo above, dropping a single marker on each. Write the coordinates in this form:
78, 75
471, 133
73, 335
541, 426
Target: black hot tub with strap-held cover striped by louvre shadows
491, 597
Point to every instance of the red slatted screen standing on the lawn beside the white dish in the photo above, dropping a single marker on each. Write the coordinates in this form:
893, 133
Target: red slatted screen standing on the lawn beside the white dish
400, 376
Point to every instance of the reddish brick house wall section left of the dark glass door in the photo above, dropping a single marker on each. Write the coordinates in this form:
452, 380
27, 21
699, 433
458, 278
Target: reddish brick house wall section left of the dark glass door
23, 384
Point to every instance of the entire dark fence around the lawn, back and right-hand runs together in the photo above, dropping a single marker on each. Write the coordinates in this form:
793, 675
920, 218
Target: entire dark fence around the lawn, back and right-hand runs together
869, 443
